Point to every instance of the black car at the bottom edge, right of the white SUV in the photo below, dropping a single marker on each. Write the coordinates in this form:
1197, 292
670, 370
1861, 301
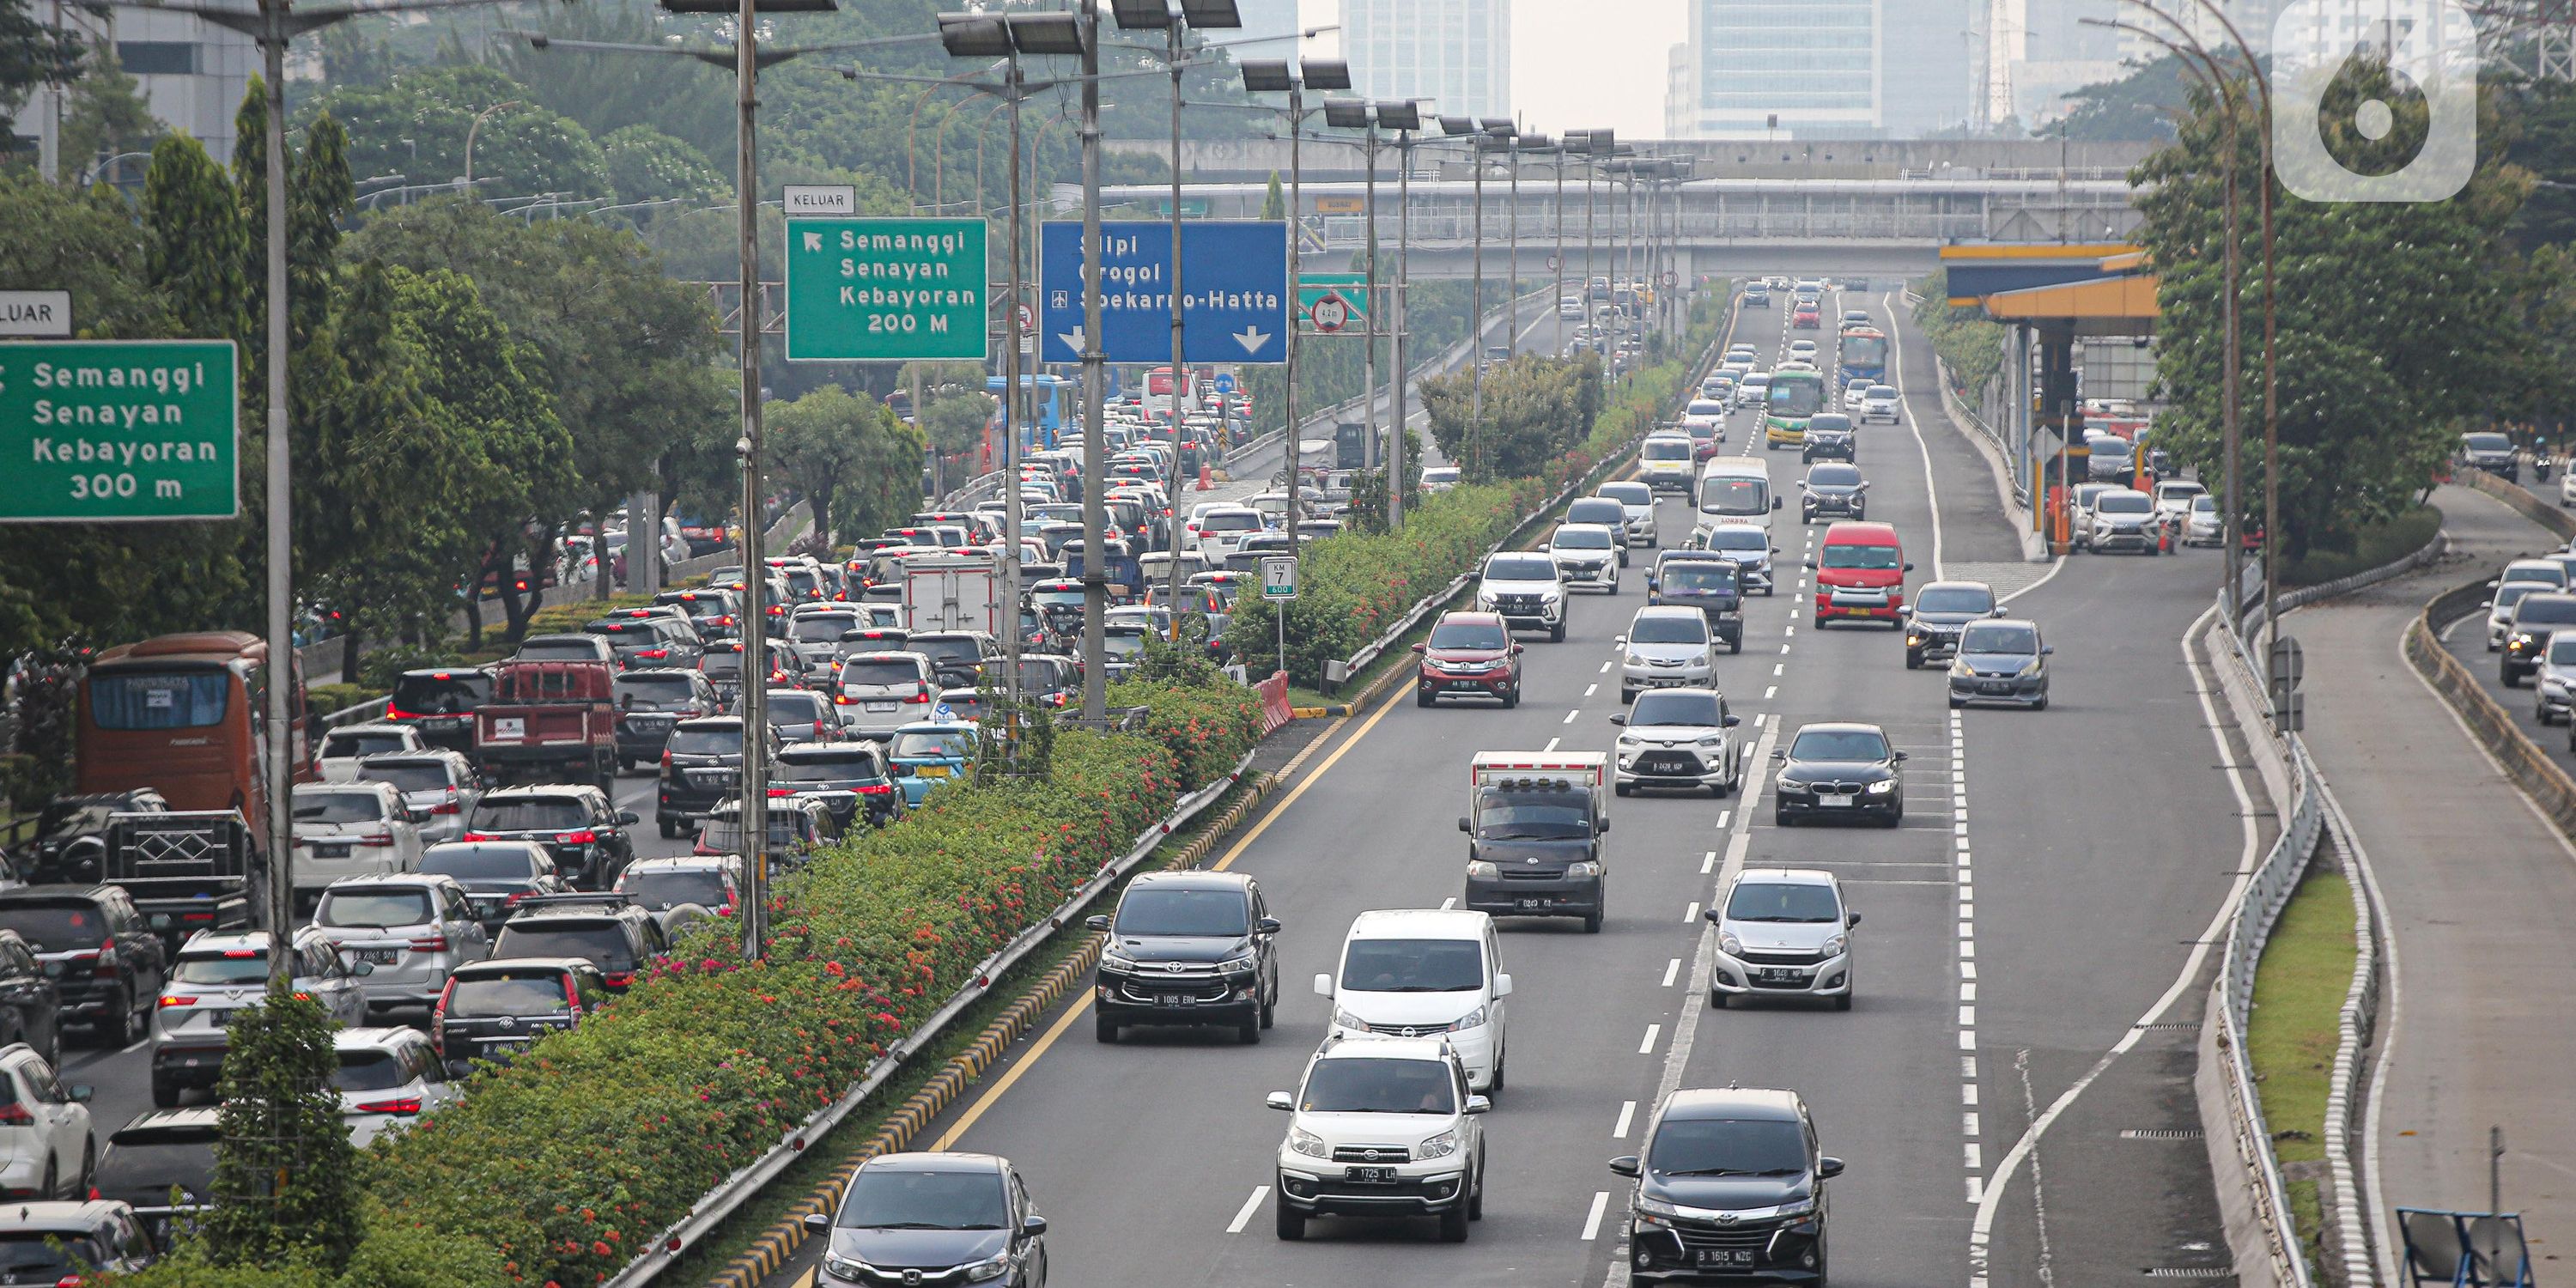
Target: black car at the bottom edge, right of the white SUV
1730, 1189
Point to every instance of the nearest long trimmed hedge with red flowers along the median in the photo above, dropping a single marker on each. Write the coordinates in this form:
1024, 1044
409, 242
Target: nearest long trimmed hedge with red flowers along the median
607, 1135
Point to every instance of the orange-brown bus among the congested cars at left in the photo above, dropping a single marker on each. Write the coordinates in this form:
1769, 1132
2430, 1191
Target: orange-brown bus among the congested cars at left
187, 717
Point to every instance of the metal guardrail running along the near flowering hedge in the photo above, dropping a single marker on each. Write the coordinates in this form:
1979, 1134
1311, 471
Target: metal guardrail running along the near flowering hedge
735, 1191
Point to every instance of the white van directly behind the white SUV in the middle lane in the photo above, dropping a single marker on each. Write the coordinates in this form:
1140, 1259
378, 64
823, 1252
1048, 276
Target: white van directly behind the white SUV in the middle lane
1421, 975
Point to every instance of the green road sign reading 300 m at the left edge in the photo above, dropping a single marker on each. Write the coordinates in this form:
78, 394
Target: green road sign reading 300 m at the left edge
120, 431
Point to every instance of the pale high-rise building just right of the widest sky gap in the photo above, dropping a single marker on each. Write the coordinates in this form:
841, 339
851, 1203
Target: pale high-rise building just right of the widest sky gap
1766, 68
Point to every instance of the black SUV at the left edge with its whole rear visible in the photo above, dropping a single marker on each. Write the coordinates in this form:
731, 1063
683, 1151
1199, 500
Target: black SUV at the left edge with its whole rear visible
102, 954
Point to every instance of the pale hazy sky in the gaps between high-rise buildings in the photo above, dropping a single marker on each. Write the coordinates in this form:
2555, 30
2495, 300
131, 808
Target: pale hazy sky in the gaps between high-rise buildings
1578, 63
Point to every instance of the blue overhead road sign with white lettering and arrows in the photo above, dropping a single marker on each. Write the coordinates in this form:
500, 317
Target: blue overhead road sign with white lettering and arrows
1233, 292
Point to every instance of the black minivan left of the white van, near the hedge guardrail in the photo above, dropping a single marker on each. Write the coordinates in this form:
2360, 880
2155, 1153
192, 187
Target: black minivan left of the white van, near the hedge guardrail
1189, 949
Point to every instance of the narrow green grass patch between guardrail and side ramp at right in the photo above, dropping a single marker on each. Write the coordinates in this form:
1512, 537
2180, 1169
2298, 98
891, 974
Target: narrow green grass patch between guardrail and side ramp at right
2299, 996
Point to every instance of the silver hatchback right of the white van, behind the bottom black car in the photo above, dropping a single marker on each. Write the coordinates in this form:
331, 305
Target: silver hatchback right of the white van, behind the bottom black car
1784, 934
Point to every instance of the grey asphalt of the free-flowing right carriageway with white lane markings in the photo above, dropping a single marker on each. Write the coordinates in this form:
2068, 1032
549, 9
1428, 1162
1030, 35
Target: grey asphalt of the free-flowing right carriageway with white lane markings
2047, 890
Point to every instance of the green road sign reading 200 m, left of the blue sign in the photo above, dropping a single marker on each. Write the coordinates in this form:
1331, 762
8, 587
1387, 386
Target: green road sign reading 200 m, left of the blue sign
887, 290
